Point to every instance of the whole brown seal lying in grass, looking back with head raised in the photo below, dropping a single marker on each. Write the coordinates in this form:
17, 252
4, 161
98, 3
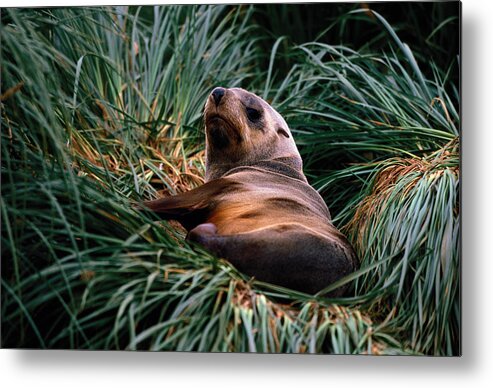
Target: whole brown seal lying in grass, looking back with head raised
256, 208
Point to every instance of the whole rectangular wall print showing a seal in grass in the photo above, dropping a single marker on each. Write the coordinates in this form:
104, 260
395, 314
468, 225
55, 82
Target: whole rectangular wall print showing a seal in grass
232, 178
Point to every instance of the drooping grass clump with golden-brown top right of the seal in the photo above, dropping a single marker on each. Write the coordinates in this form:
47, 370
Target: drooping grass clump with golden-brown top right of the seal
409, 226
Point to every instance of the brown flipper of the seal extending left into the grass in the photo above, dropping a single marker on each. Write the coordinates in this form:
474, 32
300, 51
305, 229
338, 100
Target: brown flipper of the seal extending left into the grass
192, 207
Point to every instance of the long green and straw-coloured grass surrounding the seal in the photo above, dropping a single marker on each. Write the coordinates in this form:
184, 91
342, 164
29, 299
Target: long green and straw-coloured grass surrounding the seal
102, 107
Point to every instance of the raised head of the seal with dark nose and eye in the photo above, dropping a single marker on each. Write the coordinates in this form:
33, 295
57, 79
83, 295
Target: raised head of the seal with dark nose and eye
241, 129
